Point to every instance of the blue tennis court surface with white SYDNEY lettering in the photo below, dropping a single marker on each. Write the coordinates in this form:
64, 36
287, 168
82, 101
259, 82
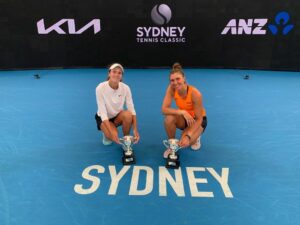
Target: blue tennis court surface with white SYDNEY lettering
247, 171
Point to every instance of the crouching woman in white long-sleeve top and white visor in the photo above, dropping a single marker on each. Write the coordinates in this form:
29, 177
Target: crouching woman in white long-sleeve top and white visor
111, 97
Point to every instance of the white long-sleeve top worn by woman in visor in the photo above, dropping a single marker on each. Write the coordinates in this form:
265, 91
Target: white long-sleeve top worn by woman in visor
110, 101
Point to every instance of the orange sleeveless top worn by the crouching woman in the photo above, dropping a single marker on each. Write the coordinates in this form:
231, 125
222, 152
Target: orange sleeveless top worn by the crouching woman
186, 103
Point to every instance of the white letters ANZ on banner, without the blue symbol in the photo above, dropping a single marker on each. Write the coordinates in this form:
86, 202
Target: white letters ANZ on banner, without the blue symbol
245, 26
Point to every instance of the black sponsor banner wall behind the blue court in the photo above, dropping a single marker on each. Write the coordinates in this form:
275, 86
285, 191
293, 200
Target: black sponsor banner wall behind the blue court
211, 34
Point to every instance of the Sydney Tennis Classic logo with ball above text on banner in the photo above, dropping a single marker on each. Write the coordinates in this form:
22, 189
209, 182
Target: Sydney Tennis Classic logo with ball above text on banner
161, 16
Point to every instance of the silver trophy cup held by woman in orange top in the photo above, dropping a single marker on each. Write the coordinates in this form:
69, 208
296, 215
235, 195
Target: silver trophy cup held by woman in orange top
173, 159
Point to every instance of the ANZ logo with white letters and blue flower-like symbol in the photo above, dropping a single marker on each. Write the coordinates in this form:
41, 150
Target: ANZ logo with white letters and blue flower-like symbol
258, 26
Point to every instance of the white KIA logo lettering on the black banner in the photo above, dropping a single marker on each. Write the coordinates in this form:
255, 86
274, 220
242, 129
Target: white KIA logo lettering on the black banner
70, 25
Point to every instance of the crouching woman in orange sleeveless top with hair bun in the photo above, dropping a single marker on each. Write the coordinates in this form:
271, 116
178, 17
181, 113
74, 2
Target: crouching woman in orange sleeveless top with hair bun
190, 116
